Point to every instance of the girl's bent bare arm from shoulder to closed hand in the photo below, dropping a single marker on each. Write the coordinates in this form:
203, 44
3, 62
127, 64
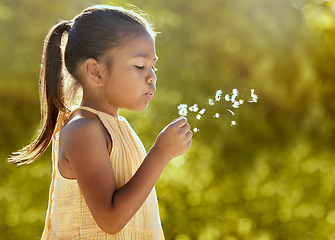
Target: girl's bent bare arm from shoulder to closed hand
87, 152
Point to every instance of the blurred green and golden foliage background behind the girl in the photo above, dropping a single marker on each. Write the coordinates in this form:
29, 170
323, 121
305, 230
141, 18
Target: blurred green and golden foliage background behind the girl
269, 177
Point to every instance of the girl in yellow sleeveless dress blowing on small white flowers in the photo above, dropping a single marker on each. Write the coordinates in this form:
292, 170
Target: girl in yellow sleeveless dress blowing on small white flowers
103, 181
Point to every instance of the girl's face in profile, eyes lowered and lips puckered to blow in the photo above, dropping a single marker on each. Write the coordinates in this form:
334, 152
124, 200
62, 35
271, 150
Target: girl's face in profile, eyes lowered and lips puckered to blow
130, 83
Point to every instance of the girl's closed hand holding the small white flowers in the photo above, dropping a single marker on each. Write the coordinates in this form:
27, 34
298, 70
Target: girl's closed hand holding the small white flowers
175, 139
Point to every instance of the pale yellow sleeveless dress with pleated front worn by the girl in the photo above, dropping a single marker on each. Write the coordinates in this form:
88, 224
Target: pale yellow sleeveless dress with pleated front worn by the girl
68, 216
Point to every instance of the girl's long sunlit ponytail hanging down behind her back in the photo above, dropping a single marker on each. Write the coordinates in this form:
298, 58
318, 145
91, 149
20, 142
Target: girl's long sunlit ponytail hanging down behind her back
50, 93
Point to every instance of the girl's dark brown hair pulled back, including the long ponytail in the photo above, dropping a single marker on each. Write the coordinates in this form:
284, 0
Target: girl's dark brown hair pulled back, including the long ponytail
91, 34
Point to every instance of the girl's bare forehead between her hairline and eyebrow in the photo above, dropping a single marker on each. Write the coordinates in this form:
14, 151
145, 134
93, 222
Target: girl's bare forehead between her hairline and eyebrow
138, 47
